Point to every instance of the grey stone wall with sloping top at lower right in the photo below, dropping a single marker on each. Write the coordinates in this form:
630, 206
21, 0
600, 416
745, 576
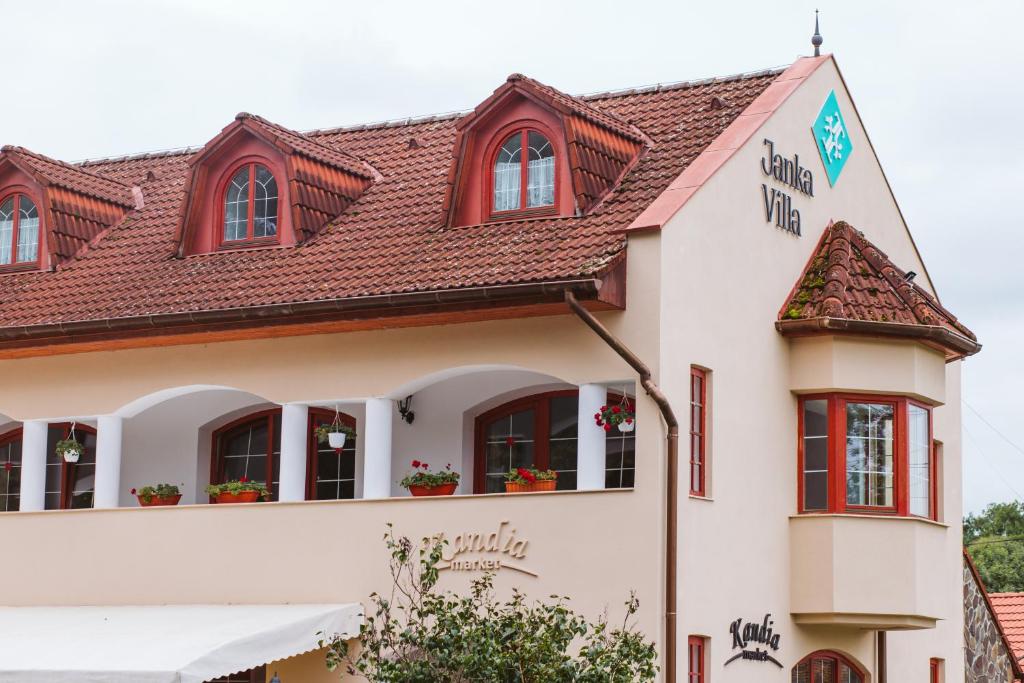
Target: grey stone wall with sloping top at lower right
988, 657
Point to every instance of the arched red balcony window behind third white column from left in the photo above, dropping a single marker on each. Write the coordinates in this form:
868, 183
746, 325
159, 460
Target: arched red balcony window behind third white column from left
250, 447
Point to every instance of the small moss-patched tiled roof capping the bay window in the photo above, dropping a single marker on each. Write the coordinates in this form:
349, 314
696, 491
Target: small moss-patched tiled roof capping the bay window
850, 285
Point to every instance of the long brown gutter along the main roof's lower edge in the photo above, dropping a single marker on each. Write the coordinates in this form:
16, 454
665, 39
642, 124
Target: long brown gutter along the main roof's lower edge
284, 313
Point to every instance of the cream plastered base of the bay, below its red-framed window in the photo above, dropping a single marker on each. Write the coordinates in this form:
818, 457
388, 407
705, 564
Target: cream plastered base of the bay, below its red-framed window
865, 572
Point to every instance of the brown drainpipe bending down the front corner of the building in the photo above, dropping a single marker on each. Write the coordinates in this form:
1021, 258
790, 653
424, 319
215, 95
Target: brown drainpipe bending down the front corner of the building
672, 488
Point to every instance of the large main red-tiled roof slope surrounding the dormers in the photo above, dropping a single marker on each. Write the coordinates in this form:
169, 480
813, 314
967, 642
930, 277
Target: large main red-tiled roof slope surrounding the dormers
389, 242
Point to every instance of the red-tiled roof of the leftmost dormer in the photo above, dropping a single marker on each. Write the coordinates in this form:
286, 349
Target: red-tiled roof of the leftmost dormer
79, 205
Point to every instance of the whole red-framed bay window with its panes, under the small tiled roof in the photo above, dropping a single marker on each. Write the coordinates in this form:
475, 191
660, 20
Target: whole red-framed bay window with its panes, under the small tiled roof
866, 454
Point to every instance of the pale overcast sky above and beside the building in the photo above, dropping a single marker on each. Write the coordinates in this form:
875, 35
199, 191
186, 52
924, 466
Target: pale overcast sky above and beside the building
938, 84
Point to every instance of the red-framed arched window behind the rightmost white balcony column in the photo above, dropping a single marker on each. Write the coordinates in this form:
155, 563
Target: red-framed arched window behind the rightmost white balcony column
541, 432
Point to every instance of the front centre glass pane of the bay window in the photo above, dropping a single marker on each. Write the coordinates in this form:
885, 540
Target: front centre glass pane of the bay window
870, 443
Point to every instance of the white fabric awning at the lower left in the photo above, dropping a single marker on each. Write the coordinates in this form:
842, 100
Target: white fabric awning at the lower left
160, 645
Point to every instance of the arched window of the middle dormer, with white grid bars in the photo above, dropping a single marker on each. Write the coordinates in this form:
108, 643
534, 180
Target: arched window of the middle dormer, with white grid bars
250, 205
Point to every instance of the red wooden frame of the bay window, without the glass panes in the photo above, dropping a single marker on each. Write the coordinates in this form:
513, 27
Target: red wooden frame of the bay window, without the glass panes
837, 403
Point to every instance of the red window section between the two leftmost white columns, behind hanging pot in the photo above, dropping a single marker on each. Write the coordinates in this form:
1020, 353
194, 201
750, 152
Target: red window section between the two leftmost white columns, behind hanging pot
70, 486
